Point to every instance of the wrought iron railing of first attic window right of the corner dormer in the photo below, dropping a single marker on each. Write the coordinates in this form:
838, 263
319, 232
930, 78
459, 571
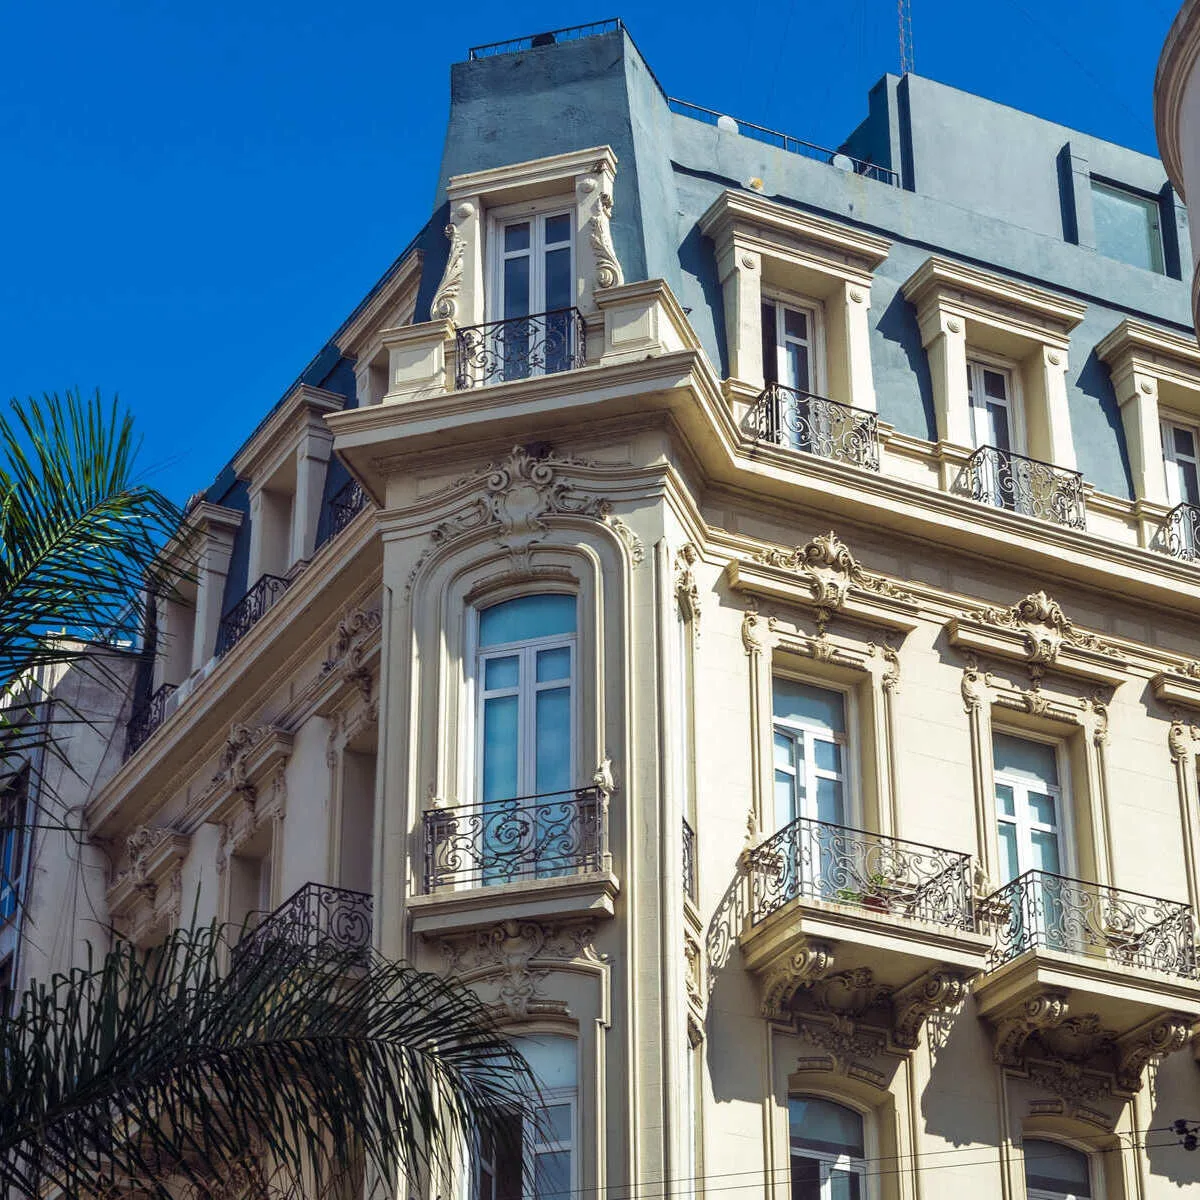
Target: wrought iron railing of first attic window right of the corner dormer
806, 422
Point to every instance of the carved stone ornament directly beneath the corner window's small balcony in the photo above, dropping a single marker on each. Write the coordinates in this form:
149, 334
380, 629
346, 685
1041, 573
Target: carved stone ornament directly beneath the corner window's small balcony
518, 956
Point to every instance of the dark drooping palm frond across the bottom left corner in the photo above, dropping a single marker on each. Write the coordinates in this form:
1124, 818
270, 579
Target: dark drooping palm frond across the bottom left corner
160, 1069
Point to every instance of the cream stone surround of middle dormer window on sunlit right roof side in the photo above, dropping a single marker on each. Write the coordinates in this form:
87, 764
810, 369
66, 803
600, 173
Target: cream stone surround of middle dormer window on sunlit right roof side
961, 309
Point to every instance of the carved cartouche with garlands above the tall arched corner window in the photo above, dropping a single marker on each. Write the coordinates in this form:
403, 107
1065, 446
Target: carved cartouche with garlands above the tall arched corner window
520, 494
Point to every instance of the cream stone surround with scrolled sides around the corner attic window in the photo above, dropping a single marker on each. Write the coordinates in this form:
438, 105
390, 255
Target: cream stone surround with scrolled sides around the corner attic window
584, 178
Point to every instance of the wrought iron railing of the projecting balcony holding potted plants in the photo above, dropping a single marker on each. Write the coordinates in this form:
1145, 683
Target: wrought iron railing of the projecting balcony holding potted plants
818, 861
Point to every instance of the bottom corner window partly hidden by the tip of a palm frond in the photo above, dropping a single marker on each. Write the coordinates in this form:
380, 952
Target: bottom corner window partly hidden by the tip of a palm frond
533, 1156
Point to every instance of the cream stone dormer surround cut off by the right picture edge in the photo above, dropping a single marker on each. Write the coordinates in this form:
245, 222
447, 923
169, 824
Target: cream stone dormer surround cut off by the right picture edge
1156, 374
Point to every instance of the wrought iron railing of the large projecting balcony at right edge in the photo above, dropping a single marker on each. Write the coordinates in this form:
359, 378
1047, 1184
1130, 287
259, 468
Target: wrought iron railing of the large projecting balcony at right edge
1041, 910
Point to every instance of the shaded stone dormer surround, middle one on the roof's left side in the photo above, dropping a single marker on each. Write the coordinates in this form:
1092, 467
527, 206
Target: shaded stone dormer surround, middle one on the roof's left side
285, 464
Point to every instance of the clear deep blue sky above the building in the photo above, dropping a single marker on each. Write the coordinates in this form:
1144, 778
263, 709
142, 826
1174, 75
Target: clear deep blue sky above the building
197, 194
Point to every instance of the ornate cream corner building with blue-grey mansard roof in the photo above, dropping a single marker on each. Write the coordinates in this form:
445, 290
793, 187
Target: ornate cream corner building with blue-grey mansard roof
734, 605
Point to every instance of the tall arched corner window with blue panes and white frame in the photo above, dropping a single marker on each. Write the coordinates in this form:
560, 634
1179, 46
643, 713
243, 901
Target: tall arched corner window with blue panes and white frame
526, 680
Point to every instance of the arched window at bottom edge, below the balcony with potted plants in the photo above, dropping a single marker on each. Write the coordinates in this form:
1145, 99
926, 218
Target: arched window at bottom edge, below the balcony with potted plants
827, 1151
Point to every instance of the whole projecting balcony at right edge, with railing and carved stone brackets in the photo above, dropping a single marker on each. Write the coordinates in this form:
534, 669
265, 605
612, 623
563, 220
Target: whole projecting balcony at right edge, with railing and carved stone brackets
1088, 975
